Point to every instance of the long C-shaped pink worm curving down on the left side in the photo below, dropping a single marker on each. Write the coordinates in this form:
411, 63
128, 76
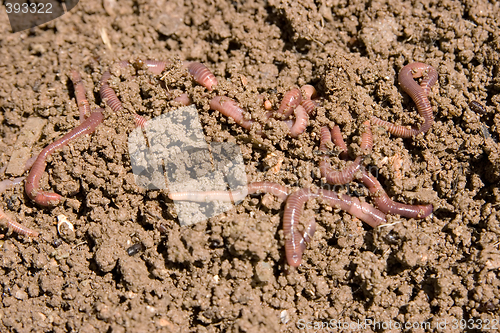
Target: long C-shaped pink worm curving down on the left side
33, 181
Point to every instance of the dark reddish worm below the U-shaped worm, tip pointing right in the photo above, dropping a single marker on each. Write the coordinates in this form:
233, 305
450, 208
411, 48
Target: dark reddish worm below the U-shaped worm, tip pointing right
386, 205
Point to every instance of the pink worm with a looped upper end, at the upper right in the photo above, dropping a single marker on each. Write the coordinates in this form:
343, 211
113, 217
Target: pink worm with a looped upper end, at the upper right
418, 93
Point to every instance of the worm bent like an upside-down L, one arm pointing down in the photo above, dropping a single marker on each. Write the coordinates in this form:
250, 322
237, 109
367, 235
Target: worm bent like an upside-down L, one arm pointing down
295, 206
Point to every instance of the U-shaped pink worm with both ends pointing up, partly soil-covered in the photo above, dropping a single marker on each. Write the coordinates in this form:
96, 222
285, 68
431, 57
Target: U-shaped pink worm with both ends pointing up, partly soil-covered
347, 175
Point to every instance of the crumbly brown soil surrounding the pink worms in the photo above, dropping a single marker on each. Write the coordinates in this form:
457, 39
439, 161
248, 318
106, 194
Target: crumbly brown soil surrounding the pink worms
229, 273
